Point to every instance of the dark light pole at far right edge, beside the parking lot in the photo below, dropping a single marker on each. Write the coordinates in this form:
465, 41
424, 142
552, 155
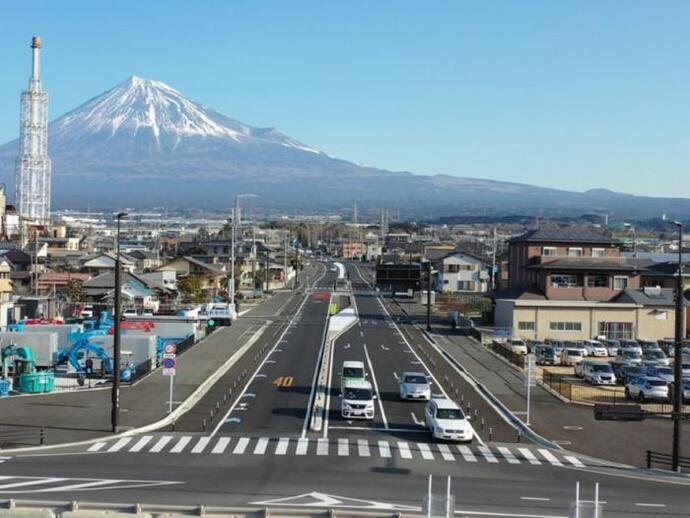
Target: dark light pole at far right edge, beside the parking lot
678, 356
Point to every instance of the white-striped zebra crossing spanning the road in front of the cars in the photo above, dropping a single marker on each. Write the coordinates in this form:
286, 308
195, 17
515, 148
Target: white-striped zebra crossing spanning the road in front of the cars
342, 447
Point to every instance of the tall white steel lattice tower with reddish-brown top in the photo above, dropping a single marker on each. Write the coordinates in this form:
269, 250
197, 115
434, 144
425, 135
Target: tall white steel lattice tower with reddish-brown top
33, 166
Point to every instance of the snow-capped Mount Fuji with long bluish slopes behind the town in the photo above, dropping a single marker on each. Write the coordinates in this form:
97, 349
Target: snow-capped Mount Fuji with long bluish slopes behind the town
144, 144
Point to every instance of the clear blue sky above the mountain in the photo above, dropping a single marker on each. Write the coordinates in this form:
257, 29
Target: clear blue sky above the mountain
574, 95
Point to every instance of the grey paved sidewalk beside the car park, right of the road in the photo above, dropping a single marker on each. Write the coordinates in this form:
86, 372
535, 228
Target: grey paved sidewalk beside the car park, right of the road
571, 425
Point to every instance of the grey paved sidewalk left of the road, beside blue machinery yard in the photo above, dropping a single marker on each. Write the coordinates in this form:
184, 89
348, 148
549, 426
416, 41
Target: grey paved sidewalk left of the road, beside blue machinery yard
82, 415
